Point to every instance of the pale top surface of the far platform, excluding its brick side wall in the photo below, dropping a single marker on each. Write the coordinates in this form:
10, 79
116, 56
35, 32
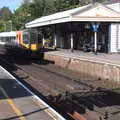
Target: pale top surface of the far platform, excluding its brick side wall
99, 57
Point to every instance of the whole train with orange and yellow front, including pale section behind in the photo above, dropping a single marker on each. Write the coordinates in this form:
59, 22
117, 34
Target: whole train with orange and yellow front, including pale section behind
27, 41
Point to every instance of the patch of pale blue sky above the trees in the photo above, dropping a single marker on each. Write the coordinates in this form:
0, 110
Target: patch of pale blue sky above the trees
12, 4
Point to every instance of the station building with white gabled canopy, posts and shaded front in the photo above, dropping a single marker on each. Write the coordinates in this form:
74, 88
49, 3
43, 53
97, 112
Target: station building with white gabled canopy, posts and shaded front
94, 27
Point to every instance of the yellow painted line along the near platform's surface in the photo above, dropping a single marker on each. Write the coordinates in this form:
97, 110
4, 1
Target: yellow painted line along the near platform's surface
11, 103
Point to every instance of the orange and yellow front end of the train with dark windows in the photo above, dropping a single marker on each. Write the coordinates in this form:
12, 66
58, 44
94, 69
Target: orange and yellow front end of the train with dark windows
30, 41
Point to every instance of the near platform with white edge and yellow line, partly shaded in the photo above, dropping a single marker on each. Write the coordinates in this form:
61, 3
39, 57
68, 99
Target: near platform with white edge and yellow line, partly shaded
19, 103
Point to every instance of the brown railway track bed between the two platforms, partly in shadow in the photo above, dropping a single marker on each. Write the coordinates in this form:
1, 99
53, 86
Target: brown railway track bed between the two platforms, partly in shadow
74, 99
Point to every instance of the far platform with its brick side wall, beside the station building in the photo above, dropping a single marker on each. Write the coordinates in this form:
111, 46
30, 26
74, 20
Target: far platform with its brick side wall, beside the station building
100, 66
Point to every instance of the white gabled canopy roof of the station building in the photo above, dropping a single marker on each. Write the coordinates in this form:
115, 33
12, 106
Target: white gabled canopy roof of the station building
89, 13
